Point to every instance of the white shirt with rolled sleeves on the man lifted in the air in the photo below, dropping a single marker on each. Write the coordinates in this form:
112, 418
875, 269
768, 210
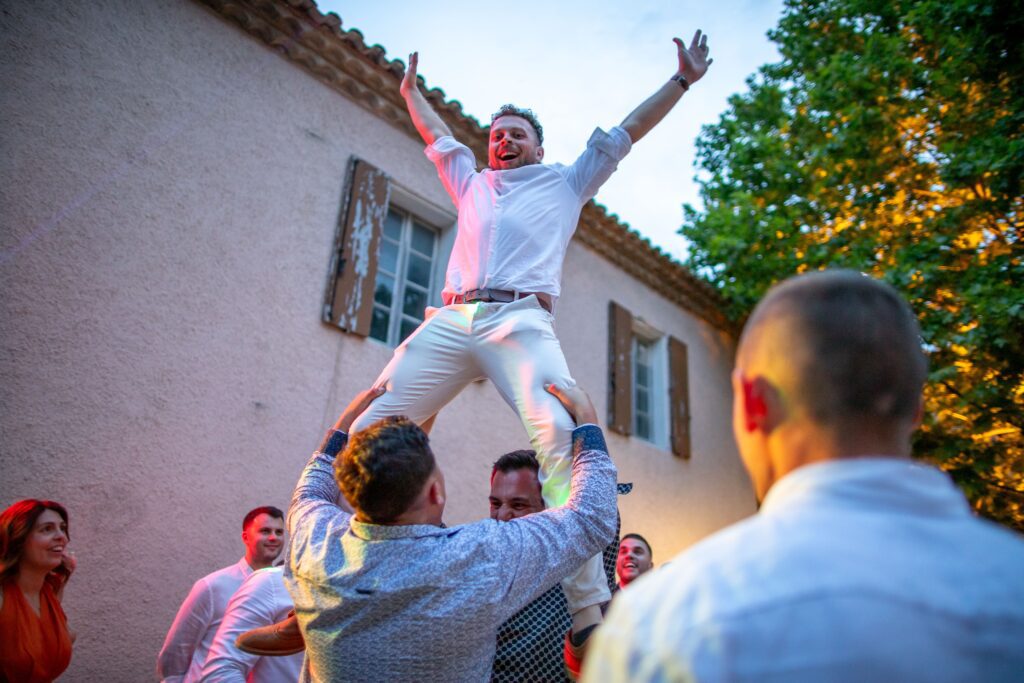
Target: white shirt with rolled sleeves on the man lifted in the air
516, 226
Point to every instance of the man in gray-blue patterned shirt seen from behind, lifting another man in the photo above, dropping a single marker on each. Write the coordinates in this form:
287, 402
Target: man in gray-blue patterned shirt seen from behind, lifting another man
388, 592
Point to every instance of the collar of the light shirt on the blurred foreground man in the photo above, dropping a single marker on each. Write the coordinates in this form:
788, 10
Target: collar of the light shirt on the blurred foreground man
879, 483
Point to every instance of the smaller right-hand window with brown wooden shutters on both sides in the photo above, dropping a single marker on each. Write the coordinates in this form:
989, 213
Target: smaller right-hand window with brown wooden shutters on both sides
649, 395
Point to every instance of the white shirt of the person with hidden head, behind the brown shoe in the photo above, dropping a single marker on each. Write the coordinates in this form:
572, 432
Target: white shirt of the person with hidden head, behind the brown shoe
263, 601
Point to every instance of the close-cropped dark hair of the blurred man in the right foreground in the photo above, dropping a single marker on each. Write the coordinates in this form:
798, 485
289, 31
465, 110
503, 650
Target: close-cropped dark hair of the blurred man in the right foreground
862, 360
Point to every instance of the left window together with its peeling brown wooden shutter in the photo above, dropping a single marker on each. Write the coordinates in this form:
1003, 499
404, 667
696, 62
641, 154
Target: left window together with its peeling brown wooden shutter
388, 259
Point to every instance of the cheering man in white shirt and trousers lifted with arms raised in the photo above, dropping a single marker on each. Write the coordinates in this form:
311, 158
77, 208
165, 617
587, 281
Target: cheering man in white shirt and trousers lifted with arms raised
516, 222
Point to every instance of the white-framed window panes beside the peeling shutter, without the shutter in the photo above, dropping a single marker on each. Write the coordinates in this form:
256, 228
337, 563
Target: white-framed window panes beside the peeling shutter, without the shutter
403, 289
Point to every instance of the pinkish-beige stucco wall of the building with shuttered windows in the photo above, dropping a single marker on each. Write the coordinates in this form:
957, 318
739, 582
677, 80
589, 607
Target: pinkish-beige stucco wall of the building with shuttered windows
169, 190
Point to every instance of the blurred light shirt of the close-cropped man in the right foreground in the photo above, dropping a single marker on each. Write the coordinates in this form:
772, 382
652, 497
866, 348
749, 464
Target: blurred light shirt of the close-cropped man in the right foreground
866, 570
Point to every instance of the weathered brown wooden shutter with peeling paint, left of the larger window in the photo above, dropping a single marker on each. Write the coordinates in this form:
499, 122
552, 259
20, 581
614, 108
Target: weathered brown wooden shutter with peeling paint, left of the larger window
351, 294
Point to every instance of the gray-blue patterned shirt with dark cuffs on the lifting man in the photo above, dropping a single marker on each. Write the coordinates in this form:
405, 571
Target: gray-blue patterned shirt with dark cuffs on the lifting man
423, 603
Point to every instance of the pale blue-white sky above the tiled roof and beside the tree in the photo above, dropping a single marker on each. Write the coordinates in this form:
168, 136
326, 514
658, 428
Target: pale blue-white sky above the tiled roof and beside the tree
580, 65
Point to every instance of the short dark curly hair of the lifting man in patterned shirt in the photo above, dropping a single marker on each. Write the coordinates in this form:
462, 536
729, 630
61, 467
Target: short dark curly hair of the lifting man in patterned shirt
385, 468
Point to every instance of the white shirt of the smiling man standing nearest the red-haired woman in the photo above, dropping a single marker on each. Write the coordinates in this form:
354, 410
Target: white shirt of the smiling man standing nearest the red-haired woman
189, 641
